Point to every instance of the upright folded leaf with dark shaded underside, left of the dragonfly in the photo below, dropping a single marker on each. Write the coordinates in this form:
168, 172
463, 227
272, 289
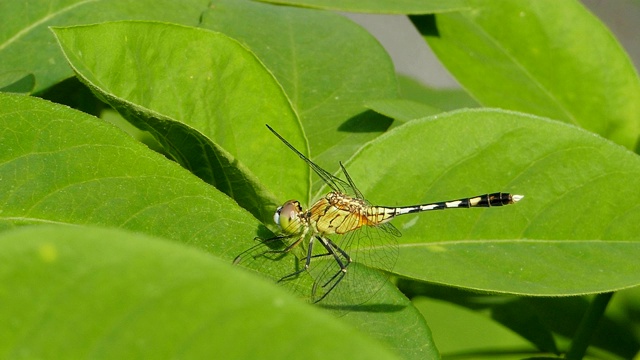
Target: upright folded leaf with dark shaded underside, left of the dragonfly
207, 108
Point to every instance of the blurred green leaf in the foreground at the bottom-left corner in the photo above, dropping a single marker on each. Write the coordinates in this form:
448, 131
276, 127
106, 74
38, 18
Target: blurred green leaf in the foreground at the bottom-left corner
117, 294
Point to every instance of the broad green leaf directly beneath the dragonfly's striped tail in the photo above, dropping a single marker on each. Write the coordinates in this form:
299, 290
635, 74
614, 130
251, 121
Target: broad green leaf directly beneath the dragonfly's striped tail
576, 186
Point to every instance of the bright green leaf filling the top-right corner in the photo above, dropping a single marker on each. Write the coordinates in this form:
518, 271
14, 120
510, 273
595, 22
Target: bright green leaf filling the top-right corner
549, 58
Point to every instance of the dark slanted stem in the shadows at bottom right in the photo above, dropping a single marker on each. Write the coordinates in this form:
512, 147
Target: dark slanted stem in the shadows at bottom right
588, 326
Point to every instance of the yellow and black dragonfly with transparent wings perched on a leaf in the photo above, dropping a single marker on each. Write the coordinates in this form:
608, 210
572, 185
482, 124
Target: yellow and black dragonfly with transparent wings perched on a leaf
332, 237
